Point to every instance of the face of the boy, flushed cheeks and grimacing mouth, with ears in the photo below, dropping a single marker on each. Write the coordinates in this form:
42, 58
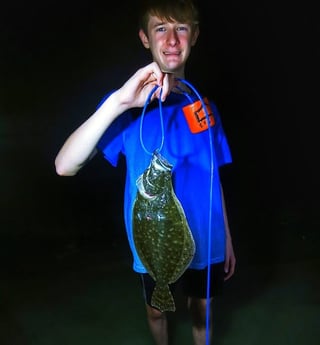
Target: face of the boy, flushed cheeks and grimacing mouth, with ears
170, 43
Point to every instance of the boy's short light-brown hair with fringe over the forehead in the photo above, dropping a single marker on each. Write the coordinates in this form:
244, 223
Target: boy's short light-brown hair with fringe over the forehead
183, 11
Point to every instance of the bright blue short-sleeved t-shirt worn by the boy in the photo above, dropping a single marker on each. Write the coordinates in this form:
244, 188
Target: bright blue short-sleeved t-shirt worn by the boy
192, 157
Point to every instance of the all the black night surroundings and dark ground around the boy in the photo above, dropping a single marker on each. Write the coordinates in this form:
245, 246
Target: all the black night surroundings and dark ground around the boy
66, 274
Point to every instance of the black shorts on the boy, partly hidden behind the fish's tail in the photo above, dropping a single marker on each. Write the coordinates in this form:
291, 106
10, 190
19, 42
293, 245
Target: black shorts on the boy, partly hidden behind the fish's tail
193, 282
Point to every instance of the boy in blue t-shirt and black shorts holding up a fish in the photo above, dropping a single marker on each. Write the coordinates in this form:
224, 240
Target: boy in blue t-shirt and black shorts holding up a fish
169, 29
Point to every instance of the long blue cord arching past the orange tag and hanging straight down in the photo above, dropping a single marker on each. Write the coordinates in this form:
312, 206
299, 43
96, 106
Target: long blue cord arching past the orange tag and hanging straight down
210, 207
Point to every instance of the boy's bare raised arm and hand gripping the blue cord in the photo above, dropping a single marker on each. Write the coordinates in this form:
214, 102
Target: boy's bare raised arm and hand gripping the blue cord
80, 146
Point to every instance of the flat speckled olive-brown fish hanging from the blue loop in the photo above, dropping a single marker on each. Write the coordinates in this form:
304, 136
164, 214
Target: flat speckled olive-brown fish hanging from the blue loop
161, 233
